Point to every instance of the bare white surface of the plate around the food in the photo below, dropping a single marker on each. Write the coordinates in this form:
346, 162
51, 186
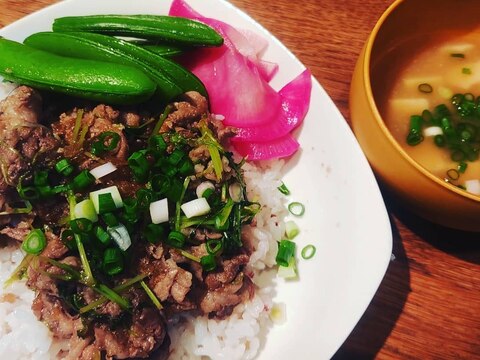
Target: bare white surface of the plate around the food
345, 215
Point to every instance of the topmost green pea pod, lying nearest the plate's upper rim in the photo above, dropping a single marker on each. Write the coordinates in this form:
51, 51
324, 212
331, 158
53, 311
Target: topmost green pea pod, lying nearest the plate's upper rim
176, 30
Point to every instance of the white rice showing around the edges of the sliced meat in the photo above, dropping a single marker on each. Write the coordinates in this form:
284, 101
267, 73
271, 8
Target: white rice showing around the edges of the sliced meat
240, 336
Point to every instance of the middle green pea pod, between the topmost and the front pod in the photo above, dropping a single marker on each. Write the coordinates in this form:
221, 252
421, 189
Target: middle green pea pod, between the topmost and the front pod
171, 78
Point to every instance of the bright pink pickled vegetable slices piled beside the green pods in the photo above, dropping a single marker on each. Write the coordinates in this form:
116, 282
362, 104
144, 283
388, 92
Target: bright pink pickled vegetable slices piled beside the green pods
237, 79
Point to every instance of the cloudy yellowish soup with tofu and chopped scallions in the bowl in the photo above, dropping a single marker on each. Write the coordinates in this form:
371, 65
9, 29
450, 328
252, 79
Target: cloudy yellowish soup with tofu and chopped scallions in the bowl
434, 74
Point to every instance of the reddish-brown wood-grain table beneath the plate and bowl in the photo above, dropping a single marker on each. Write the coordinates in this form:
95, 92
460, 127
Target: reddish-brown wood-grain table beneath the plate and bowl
428, 306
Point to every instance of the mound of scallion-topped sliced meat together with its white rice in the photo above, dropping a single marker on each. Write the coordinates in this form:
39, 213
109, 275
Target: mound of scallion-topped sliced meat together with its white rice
140, 230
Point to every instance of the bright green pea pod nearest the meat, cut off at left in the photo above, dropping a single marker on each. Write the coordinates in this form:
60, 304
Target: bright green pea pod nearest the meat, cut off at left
93, 80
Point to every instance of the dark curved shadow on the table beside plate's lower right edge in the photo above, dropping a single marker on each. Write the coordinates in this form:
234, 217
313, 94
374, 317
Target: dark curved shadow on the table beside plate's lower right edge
377, 322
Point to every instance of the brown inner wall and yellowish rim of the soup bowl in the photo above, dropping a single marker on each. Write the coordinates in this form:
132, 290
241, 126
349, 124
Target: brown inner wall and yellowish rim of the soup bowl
409, 26
